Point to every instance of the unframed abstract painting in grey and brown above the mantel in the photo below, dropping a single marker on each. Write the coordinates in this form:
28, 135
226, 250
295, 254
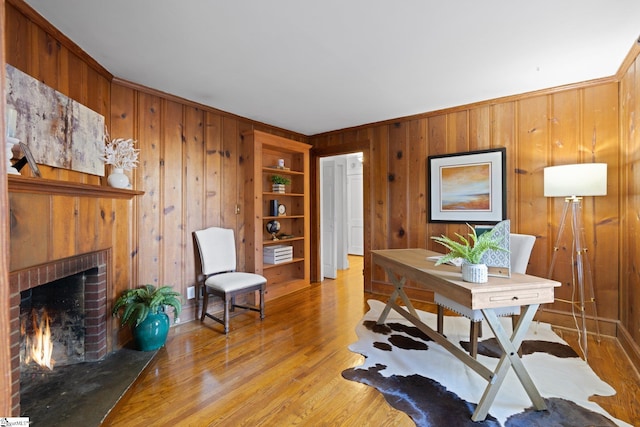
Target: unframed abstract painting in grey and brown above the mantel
59, 131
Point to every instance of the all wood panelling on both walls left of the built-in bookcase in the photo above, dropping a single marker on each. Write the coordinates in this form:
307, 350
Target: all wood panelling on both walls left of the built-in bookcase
190, 171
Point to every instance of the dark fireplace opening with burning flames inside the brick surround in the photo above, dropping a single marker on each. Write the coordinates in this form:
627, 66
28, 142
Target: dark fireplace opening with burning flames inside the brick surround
52, 323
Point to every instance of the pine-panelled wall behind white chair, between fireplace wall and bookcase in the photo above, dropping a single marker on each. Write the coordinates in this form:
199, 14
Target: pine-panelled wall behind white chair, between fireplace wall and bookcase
191, 171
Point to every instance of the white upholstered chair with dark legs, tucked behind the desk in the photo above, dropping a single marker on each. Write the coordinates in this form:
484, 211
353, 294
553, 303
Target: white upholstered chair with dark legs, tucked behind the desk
520, 246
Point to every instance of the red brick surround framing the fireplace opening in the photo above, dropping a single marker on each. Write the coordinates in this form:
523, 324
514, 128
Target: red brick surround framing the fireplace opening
95, 305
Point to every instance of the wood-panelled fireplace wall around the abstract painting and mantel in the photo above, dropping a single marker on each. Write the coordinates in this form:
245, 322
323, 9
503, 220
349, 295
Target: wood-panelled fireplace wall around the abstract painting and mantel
47, 227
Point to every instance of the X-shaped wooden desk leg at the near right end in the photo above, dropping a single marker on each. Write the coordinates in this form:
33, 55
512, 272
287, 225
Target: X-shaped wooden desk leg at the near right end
510, 358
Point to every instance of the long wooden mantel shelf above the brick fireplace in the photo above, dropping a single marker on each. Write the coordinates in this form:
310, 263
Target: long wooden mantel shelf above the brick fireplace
21, 184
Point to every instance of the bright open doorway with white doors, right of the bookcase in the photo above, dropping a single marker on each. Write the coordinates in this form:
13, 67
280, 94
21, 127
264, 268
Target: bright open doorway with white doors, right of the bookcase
341, 212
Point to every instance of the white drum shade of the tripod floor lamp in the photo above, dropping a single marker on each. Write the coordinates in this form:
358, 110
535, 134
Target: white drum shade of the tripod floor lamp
583, 179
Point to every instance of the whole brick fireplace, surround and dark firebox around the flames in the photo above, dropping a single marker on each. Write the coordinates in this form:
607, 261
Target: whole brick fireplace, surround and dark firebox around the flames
79, 319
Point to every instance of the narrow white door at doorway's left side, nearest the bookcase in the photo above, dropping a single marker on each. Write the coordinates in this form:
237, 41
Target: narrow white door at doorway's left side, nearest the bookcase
328, 219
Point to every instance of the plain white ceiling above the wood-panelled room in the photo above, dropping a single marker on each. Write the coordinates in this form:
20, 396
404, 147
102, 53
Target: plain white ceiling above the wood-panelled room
312, 66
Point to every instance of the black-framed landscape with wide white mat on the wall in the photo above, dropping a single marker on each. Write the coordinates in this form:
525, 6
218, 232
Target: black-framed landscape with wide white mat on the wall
468, 187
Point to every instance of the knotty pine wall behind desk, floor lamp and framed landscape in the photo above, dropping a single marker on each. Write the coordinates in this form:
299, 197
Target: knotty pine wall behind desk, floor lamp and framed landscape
569, 125
